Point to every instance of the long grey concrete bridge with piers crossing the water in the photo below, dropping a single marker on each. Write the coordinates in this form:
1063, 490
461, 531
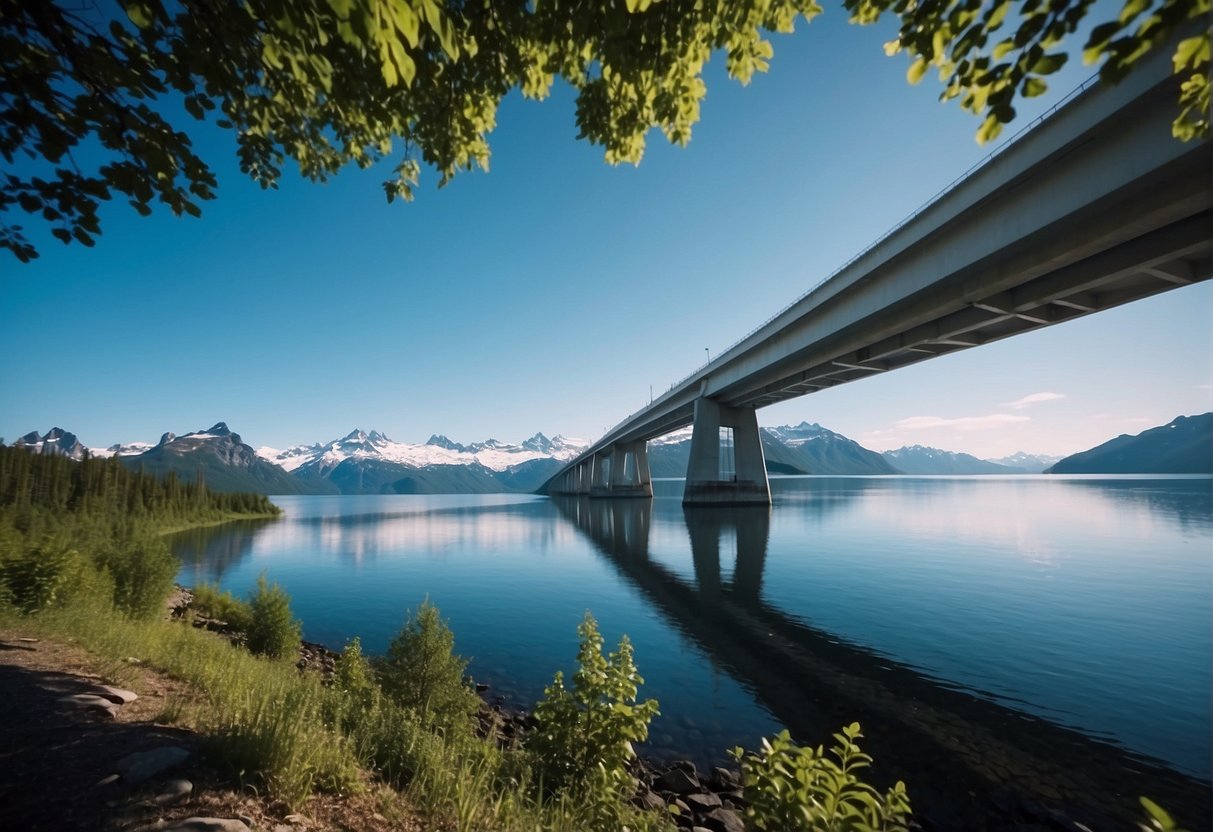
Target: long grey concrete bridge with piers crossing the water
1095, 207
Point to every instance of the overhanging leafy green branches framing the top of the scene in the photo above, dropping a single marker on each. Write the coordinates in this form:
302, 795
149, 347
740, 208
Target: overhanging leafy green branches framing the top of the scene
332, 83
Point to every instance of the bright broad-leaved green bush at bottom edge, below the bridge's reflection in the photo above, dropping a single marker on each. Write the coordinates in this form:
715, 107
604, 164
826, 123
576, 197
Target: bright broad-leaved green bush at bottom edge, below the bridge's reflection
795, 789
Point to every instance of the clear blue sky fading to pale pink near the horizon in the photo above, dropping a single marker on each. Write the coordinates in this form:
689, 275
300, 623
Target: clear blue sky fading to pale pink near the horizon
550, 294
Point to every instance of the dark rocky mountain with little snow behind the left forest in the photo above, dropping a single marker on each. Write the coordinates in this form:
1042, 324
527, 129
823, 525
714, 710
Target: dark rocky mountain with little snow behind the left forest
224, 461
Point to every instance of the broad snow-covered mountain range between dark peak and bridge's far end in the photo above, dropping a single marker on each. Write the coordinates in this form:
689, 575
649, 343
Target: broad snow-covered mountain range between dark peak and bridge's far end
373, 464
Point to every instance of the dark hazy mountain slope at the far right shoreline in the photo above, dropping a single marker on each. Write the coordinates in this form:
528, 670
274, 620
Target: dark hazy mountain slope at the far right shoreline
1182, 447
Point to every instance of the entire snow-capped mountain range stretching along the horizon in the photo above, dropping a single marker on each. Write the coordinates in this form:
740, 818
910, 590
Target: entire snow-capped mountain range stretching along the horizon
373, 464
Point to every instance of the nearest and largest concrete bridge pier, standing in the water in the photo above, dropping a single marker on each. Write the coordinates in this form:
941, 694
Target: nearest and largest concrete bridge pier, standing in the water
707, 485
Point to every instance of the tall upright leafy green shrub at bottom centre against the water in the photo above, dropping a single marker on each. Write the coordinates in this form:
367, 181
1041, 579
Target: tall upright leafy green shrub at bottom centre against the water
585, 734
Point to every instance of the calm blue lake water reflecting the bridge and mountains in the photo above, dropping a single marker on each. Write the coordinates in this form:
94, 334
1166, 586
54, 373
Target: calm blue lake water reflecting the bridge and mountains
1073, 612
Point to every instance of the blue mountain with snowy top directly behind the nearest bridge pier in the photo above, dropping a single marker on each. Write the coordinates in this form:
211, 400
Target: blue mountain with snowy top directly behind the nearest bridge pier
801, 449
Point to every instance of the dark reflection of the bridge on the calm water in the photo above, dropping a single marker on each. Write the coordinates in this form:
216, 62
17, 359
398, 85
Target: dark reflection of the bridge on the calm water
970, 762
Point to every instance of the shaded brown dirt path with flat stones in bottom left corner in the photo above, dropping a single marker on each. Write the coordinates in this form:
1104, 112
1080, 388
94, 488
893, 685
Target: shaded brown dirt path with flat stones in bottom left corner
76, 763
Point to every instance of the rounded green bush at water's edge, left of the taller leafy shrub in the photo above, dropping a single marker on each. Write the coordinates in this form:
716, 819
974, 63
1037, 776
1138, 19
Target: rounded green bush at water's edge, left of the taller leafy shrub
422, 673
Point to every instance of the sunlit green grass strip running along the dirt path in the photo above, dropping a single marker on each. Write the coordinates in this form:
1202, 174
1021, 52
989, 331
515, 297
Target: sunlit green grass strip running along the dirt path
284, 734
